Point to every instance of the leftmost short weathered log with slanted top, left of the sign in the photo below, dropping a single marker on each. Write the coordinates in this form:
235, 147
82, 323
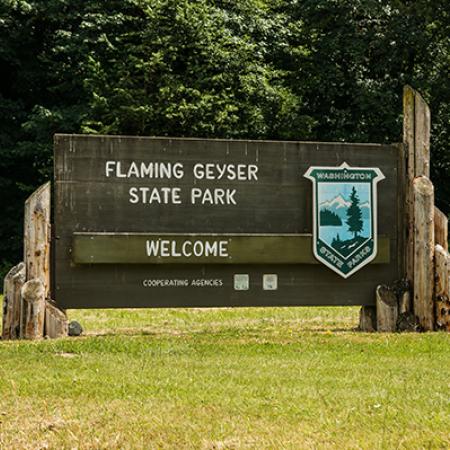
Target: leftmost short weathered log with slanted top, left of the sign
12, 301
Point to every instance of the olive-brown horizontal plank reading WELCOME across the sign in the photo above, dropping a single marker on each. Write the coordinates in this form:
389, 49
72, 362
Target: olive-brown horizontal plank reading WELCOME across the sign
148, 248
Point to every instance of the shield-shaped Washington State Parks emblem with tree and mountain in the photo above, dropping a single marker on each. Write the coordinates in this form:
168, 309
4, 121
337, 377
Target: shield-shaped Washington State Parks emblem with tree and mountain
344, 216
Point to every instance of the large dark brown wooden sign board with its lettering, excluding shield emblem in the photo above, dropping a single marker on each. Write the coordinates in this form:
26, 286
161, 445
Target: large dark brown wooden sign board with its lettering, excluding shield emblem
161, 222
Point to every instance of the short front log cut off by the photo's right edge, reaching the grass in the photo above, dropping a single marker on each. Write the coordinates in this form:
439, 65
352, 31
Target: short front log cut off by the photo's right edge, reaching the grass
442, 288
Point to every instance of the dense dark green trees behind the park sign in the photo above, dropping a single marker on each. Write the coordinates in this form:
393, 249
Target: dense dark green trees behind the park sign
326, 70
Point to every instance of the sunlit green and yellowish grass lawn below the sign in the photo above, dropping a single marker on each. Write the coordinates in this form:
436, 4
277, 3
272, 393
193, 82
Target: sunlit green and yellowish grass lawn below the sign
226, 379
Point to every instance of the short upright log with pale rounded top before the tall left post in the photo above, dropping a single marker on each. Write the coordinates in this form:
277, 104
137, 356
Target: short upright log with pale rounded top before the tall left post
33, 294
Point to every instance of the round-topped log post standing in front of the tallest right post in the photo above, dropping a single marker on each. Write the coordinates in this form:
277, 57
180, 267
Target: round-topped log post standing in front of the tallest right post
424, 252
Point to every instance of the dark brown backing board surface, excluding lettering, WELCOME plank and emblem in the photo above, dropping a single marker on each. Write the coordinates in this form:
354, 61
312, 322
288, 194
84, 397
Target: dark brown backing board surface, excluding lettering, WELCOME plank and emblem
86, 201
